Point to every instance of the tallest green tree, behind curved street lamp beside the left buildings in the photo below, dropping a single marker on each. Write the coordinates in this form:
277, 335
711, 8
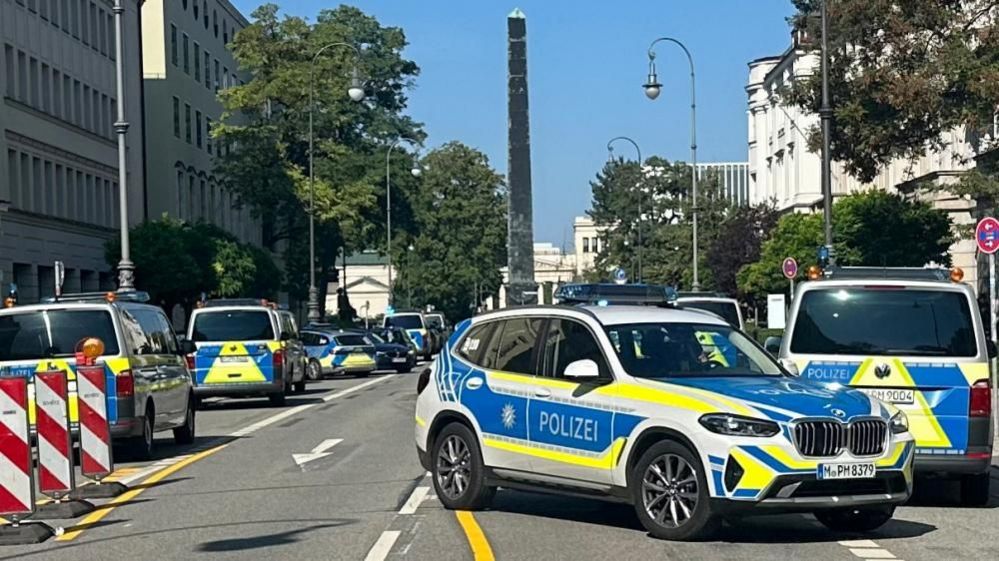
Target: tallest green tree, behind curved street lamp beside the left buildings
266, 128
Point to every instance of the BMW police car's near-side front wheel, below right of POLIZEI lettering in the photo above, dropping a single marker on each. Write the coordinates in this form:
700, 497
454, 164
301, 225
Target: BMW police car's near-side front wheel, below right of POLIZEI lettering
682, 509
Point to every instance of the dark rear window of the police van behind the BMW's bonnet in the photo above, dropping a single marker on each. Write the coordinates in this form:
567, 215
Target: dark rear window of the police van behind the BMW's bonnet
884, 322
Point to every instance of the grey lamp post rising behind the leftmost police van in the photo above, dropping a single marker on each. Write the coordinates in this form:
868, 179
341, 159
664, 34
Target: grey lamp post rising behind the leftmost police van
126, 269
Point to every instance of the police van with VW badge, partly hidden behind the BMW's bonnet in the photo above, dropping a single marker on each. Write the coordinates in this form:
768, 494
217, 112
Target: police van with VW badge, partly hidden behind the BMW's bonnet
912, 338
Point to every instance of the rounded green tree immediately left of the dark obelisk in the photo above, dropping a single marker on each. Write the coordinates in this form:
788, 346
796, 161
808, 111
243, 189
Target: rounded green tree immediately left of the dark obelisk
460, 216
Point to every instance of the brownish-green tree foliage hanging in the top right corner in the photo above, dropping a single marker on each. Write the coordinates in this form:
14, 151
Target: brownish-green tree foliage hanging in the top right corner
901, 73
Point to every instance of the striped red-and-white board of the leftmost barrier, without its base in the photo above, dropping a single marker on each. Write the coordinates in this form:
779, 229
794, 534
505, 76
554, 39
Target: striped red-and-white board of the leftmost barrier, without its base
17, 488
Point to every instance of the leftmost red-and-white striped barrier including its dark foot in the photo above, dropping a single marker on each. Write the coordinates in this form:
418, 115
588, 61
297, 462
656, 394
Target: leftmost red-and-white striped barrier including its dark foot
17, 484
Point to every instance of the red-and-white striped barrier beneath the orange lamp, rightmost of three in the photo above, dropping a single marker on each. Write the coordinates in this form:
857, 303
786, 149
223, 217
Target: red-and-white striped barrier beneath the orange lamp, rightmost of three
96, 460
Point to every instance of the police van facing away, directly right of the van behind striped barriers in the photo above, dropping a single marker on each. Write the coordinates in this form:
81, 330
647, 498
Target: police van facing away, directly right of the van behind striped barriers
245, 348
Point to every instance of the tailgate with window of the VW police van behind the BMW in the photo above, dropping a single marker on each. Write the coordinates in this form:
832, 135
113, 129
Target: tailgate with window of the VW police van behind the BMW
918, 347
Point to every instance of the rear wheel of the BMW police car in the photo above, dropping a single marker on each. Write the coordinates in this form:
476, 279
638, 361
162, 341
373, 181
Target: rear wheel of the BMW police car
463, 485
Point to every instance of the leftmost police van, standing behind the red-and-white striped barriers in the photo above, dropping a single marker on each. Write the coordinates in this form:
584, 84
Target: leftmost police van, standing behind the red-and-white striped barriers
148, 385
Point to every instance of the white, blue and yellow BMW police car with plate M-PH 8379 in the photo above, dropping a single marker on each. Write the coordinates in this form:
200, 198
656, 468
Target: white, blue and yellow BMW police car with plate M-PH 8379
623, 402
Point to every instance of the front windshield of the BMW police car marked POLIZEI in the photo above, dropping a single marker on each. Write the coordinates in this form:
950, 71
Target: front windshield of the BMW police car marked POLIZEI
668, 350
